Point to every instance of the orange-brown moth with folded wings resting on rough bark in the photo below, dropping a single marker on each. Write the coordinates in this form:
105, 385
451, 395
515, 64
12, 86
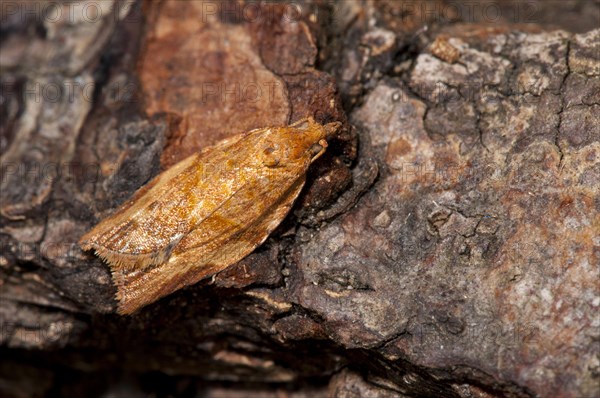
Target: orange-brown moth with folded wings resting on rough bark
206, 212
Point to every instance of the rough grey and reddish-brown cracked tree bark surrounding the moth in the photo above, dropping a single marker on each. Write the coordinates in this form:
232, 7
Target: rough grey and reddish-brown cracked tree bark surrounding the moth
446, 246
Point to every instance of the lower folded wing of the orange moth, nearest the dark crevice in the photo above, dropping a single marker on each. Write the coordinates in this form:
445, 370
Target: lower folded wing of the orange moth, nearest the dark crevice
216, 244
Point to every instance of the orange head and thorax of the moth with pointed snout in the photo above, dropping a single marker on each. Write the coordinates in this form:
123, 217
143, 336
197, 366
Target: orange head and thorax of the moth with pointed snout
303, 141
